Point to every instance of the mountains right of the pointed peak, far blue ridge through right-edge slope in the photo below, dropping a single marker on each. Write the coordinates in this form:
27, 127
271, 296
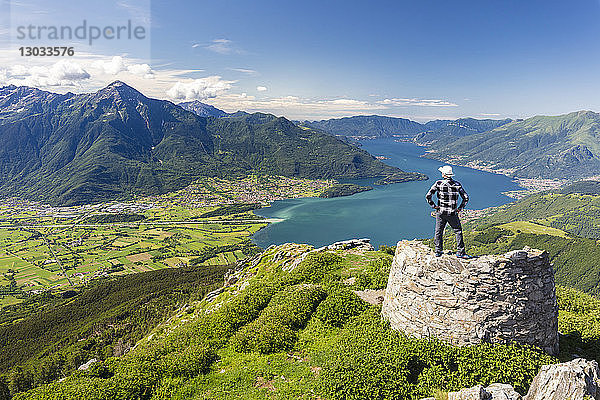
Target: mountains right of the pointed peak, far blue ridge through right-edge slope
564, 146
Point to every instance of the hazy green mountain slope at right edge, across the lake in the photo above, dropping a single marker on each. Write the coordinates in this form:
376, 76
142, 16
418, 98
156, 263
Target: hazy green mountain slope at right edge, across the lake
565, 146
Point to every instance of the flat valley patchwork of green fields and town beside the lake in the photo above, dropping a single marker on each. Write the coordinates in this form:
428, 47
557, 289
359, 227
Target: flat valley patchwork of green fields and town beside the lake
208, 223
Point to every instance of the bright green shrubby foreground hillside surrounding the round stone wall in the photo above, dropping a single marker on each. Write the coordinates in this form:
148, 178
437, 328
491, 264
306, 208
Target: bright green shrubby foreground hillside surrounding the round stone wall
292, 330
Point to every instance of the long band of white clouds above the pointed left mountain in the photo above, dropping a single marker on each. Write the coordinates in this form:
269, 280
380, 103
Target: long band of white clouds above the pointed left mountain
86, 72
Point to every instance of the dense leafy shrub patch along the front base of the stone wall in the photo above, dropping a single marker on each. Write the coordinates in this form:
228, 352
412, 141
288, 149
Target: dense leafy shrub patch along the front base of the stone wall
369, 360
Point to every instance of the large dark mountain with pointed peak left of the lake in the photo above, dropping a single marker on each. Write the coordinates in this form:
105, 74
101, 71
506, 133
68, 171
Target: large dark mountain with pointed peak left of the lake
73, 149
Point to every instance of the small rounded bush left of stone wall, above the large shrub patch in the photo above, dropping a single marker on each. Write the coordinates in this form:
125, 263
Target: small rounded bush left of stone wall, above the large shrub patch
340, 305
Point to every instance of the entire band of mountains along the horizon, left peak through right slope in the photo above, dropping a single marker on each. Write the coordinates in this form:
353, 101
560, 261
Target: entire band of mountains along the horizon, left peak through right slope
116, 142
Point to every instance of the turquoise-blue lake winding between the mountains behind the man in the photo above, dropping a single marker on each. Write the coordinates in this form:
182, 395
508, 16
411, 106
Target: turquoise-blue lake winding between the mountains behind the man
385, 214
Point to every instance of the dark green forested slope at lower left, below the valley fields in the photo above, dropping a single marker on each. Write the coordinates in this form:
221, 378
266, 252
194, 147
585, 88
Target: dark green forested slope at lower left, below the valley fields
48, 337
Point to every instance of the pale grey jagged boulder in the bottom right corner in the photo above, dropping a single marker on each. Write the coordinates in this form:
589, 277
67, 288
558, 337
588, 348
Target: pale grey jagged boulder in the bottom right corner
575, 380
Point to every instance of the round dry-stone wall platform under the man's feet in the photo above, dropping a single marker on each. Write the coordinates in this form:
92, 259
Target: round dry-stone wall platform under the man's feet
495, 298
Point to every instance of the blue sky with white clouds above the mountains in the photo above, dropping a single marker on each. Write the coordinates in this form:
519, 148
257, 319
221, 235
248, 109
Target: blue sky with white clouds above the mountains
317, 59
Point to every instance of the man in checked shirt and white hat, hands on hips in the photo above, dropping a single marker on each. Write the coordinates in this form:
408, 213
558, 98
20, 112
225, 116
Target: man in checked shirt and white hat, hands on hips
447, 209
